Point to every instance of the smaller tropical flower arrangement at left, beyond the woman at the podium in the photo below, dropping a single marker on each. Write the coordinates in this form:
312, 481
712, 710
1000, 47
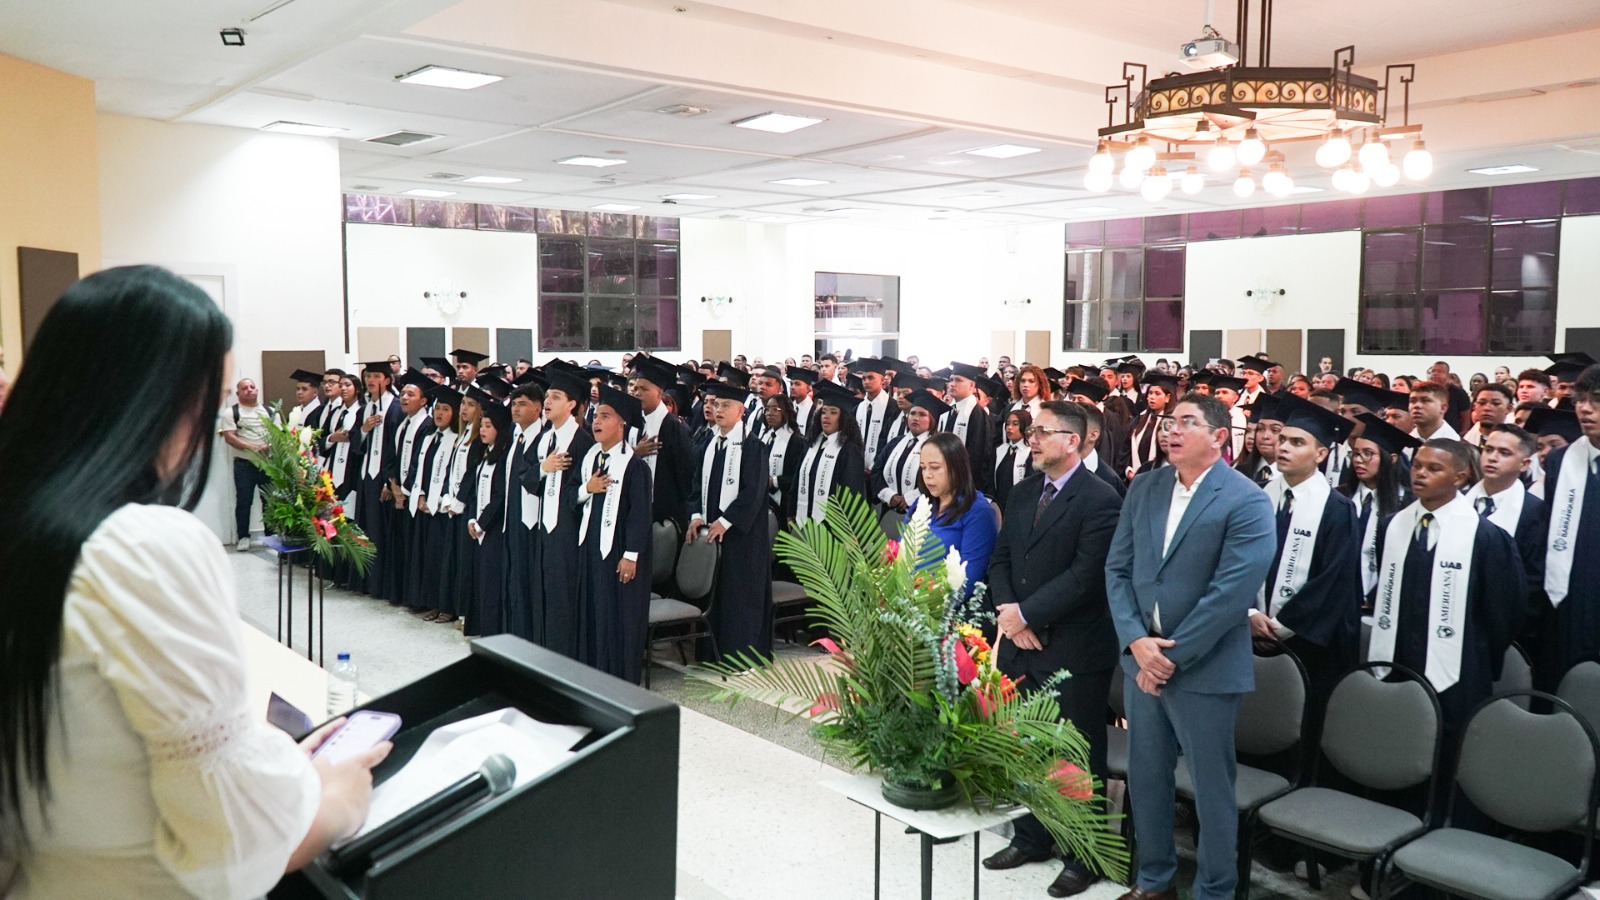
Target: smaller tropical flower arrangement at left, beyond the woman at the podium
300, 502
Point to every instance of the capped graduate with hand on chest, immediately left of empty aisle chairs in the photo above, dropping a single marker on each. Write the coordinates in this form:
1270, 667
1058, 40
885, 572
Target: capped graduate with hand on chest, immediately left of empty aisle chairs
614, 531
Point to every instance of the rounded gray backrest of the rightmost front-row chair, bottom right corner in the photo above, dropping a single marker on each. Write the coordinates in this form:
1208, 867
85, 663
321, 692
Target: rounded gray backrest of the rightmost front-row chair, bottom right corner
1535, 773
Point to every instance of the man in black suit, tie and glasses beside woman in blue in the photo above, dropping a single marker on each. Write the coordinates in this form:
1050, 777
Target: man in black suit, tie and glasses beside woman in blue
1047, 582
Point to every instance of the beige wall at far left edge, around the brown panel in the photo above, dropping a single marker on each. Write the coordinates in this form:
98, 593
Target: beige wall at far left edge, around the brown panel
49, 179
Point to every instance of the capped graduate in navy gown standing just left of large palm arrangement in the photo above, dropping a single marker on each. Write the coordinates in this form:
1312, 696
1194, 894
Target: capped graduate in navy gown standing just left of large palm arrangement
729, 507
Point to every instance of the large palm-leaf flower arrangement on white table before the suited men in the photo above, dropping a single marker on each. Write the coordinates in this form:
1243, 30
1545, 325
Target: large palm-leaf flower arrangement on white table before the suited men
911, 688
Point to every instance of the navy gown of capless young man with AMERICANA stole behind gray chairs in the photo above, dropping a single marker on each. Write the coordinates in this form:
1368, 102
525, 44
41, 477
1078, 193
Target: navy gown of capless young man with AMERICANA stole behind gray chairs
1495, 609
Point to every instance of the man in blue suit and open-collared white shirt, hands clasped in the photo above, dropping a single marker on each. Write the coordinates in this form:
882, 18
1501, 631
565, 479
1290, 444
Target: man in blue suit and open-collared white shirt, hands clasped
1190, 556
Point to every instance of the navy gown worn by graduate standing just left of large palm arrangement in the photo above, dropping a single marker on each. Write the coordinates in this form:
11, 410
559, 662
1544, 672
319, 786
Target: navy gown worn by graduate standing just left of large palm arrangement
742, 616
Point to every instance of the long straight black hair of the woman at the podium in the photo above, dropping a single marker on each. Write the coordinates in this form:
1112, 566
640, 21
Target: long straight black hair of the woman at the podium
122, 364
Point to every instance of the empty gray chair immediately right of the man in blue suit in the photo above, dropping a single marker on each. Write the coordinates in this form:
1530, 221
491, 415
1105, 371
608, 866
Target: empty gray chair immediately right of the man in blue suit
1271, 723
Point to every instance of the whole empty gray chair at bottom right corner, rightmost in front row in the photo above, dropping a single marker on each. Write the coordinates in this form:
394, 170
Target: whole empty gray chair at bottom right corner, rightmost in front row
1527, 771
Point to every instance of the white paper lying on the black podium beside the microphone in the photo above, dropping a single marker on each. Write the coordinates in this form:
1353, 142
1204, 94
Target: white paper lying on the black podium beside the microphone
455, 752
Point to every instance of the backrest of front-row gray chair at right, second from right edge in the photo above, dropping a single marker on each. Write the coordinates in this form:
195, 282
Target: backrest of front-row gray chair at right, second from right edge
1383, 734
